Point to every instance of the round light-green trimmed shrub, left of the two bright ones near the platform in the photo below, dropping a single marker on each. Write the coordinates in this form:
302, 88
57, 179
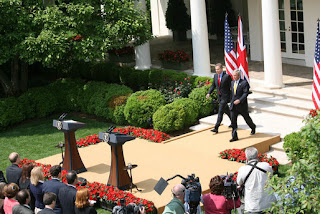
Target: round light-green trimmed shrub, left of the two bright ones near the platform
141, 106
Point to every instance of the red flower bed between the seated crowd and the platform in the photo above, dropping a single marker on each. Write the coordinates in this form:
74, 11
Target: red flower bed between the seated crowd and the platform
98, 191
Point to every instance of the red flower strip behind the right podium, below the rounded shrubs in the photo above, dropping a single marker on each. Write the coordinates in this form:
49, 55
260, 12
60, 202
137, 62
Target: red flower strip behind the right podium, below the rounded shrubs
148, 134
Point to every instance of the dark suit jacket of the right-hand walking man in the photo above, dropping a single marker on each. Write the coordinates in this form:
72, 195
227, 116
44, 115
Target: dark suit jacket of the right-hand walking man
241, 94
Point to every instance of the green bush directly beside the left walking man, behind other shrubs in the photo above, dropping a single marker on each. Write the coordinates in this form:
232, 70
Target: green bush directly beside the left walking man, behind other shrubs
199, 95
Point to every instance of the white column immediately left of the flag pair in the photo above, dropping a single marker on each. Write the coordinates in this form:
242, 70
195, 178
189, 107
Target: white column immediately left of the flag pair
200, 42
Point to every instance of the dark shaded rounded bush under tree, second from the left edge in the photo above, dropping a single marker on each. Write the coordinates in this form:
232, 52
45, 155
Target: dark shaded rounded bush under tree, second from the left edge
38, 102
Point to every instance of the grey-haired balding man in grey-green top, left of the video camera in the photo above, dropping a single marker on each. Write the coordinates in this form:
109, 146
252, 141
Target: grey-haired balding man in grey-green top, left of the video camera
175, 206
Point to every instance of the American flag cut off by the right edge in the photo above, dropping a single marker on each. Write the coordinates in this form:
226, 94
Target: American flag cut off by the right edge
316, 72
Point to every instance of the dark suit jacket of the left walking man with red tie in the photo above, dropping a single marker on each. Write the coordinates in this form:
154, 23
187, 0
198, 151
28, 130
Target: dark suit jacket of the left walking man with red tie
223, 92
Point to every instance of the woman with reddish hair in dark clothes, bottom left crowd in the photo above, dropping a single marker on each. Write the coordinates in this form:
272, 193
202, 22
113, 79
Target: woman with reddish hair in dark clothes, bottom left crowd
82, 204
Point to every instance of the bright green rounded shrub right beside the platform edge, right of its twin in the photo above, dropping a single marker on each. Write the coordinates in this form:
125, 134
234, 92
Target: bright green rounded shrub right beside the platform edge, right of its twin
176, 115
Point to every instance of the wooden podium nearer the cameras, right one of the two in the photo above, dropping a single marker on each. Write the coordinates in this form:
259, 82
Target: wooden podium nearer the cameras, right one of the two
118, 176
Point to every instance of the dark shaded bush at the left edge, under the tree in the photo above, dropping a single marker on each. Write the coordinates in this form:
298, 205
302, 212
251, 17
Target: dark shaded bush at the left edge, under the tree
11, 112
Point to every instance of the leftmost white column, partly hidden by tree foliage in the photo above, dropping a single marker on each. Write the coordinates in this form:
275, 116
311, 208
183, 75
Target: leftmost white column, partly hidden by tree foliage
142, 52
